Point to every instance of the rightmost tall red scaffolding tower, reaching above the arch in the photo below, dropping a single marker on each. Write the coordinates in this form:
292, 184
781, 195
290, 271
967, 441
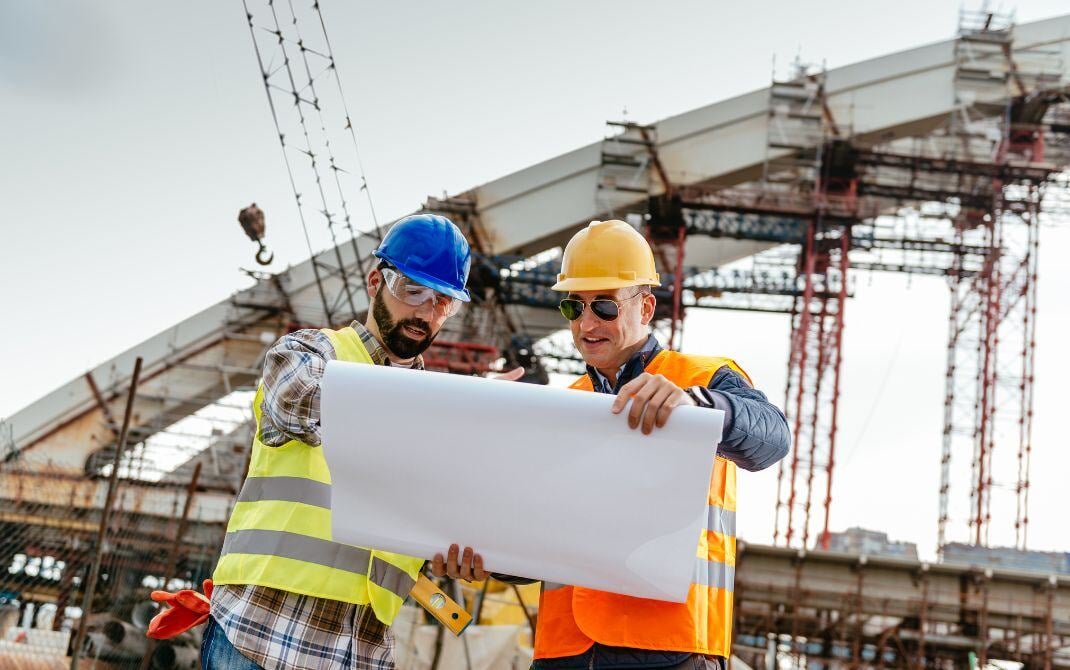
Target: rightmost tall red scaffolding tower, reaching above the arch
992, 321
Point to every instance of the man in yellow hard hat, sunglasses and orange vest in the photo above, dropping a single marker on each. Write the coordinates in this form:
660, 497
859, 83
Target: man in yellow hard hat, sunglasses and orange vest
607, 273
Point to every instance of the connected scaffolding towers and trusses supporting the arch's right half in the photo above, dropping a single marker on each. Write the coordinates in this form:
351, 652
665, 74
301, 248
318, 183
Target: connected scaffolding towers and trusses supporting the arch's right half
962, 203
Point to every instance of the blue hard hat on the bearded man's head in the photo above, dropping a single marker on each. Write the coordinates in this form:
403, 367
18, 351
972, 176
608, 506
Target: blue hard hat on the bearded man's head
431, 251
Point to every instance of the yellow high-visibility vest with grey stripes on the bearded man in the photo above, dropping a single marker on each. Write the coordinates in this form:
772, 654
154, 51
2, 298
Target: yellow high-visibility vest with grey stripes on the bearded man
280, 531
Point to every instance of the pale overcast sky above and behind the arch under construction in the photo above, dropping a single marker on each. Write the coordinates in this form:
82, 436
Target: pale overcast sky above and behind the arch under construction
132, 133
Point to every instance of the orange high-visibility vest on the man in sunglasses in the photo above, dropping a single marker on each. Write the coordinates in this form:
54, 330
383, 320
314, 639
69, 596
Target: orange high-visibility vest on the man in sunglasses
572, 619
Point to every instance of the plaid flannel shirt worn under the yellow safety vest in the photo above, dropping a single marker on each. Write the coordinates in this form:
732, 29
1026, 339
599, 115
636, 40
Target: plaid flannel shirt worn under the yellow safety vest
277, 629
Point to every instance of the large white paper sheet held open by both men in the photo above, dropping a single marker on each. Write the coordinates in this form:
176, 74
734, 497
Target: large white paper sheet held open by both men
545, 483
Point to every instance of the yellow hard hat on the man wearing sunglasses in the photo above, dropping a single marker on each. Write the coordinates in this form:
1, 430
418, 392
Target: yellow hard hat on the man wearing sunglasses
607, 255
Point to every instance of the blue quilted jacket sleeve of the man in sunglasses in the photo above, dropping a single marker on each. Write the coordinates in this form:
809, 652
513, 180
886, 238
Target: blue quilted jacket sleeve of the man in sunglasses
756, 432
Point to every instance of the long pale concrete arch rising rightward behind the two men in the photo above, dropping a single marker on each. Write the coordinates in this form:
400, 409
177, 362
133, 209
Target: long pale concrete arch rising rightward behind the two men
207, 357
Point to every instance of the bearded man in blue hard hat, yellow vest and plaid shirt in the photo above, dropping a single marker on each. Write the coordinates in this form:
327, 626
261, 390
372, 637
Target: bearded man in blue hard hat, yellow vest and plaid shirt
285, 596
